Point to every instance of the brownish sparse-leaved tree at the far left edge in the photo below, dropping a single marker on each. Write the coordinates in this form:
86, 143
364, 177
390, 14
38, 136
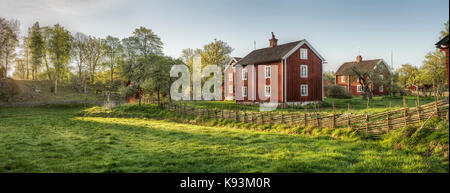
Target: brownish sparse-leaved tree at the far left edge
9, 40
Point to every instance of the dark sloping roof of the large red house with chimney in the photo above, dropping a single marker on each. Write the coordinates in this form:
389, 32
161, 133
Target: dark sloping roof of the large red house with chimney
268, 54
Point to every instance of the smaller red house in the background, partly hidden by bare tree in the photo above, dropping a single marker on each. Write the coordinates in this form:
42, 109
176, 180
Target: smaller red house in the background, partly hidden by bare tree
344, 77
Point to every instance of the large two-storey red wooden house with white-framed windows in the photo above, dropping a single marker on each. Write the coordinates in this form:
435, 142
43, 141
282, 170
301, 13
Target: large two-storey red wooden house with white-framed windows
289, 73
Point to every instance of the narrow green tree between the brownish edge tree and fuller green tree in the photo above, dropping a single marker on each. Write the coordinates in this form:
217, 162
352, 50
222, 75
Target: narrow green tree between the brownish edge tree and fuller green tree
37, 46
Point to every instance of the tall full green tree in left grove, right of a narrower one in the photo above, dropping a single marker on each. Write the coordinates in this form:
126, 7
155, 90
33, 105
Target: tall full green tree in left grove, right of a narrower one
60, 49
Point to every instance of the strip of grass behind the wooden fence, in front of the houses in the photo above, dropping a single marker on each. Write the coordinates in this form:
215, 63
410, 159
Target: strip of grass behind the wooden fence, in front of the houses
357, 105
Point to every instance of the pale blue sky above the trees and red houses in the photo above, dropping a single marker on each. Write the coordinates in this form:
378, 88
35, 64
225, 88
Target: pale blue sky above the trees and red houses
336, 28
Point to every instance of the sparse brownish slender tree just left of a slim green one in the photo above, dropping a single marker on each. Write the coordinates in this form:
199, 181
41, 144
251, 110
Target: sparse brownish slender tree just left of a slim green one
95, 52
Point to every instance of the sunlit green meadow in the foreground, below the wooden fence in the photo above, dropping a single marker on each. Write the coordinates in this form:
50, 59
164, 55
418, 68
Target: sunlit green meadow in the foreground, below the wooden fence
55, 140
